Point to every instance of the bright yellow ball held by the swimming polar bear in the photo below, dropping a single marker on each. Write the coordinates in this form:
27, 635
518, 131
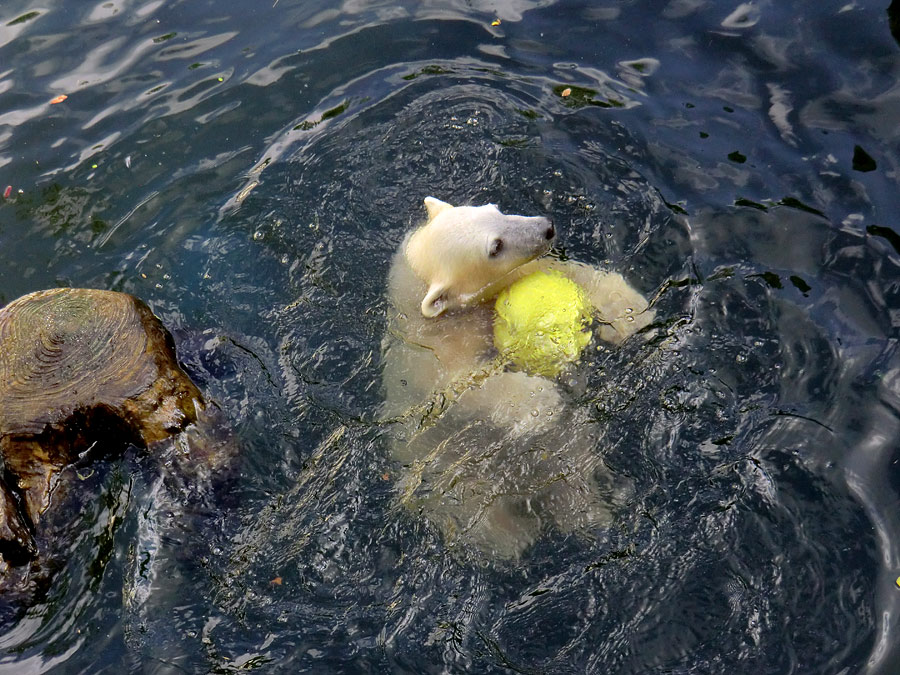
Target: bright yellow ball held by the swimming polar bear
542, 323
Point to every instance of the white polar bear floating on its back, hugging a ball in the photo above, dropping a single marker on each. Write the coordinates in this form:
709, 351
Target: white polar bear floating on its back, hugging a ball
489, 454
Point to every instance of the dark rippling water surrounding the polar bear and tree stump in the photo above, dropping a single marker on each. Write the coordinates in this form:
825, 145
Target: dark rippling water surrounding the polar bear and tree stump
248, 170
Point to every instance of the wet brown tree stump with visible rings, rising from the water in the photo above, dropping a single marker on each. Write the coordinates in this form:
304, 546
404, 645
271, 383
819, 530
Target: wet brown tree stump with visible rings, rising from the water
79, 368
